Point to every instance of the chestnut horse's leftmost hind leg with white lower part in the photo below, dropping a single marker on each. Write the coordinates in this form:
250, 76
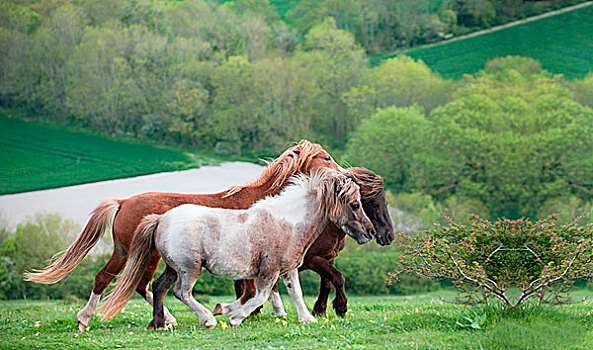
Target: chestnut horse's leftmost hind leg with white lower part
102, 280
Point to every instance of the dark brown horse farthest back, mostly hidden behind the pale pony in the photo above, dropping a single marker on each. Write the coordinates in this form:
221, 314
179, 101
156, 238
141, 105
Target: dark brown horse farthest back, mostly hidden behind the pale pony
323, 252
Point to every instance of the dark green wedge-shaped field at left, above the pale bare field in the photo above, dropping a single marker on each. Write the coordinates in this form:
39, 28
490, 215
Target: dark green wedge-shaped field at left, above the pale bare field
35, 157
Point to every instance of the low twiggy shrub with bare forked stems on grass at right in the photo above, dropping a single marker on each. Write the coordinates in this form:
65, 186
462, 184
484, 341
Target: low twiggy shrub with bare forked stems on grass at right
488, 259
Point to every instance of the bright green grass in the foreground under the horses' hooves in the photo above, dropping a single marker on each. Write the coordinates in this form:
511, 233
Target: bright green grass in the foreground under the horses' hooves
422, 322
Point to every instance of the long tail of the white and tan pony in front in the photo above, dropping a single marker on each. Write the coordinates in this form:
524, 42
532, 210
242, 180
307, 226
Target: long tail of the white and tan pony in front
138, 259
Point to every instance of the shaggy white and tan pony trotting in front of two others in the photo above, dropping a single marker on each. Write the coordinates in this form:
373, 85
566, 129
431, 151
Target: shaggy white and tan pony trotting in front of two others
265, 241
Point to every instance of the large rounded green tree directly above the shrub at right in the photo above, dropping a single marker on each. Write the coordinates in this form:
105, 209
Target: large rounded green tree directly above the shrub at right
520, 134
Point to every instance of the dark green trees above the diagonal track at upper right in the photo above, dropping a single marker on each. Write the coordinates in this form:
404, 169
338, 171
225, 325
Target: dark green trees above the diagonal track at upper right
381, 26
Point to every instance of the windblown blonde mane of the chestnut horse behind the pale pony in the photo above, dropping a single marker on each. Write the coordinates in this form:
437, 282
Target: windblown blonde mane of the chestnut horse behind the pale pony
290, 163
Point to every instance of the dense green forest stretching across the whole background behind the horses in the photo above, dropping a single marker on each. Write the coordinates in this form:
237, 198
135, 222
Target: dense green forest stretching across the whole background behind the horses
239, 78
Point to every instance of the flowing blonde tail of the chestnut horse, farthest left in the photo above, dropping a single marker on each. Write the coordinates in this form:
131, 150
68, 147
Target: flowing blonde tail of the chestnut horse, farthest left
100, 222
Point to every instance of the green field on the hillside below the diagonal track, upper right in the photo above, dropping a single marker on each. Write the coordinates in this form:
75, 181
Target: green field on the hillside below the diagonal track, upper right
563, 43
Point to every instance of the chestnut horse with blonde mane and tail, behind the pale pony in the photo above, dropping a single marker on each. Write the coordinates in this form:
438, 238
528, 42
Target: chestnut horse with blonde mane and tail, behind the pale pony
121, 217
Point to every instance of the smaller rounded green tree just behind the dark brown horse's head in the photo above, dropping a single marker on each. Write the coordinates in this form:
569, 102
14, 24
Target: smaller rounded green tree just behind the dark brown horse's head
402, 144
